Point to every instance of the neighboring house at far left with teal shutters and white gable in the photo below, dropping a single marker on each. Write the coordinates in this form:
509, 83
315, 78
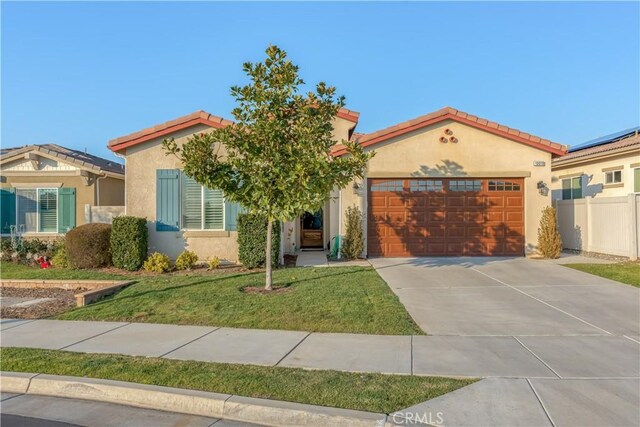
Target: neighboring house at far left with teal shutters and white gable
45, 188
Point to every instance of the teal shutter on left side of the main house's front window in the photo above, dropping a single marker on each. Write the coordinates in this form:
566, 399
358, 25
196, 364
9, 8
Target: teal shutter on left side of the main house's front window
167, 200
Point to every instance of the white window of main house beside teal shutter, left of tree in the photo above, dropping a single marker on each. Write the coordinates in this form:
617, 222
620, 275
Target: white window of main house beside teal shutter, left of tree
202, 208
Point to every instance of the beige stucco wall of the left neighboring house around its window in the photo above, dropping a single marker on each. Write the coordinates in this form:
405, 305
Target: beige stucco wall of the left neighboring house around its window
85, 194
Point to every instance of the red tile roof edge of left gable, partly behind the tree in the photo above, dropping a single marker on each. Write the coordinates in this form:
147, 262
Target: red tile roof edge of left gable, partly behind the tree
198, 117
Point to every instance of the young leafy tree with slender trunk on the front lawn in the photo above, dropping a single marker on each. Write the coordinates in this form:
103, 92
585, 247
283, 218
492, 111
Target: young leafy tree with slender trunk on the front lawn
277, 158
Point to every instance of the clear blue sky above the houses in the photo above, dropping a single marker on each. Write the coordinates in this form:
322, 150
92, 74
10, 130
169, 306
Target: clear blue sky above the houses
79, 74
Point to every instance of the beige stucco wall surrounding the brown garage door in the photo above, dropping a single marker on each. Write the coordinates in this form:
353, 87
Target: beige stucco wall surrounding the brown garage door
477, 153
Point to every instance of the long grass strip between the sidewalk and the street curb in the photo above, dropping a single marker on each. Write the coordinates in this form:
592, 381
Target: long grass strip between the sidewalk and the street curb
365, 392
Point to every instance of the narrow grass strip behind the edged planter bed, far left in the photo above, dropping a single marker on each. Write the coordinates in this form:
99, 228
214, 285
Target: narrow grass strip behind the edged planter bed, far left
11, 270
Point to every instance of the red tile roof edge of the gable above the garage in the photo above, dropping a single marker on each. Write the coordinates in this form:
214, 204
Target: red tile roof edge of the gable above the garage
449, 113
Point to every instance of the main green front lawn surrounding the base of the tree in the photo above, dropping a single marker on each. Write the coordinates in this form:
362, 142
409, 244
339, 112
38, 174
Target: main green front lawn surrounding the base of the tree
335, 299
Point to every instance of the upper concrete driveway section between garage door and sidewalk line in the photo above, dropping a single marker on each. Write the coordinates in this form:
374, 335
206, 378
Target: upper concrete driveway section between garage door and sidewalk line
510, 296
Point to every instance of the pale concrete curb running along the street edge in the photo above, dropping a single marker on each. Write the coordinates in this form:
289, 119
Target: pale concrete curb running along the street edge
193, 402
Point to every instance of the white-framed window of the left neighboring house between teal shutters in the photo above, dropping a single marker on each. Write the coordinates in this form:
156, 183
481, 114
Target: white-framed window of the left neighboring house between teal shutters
37, 209
